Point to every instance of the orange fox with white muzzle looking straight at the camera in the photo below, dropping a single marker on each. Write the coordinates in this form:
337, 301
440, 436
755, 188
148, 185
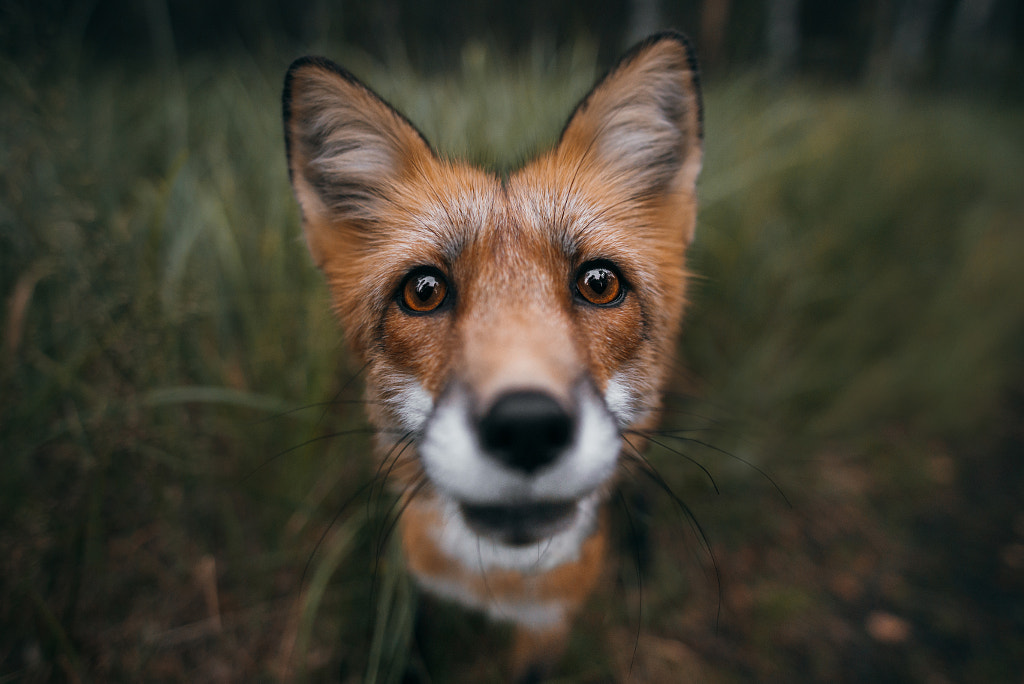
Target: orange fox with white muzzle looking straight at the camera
517, 329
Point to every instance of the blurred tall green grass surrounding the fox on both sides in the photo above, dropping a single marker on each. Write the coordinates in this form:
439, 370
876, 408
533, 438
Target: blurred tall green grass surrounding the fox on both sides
169, 350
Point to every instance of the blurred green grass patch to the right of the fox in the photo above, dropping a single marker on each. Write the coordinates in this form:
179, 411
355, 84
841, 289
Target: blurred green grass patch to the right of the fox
877, 234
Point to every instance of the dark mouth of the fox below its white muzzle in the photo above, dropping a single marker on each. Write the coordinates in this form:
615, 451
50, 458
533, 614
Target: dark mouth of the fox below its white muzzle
520, 525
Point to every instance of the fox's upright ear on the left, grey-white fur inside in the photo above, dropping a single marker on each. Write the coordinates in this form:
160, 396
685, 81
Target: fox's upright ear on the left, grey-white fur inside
347, 151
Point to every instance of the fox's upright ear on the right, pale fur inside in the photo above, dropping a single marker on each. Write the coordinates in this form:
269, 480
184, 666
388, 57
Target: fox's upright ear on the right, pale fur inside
644, 123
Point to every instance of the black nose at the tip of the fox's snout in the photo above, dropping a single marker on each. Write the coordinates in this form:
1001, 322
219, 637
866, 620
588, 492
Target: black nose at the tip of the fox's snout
526, 431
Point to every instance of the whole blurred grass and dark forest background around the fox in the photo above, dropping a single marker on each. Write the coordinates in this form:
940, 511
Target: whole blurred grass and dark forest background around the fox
184, 455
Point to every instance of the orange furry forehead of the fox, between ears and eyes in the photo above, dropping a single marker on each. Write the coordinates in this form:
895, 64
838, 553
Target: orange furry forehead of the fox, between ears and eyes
468, 223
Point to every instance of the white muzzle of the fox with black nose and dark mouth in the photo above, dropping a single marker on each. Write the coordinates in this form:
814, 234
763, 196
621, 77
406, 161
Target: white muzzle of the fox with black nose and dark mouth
520, 467
